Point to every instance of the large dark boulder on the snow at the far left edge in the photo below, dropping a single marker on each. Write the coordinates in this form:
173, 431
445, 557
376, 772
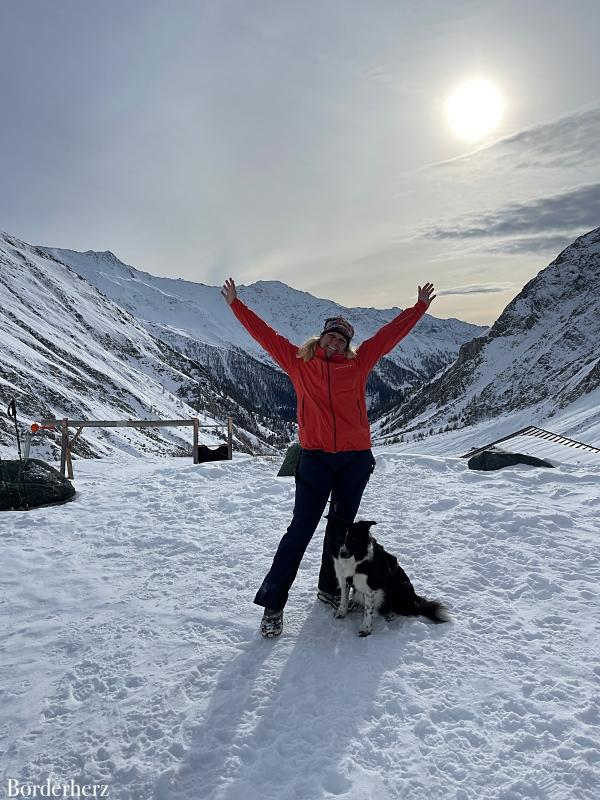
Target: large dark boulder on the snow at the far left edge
32, 483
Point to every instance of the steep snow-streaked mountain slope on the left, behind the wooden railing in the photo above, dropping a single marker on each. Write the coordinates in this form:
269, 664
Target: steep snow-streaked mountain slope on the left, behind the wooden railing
66, 350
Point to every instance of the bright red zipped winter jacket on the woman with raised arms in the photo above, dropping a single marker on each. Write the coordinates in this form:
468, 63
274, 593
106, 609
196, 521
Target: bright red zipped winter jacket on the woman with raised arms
332, 411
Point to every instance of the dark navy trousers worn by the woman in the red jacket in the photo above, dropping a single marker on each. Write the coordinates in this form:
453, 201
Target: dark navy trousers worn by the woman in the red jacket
319, 474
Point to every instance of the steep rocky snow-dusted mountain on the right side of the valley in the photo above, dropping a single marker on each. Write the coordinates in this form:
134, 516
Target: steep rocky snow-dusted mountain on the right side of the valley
541, 356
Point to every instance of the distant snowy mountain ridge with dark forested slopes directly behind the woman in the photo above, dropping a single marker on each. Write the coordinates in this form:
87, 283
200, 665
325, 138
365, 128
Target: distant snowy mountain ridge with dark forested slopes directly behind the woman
194, 319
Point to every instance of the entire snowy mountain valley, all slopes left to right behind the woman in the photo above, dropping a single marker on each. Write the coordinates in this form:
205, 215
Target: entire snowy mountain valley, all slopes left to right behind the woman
89, 336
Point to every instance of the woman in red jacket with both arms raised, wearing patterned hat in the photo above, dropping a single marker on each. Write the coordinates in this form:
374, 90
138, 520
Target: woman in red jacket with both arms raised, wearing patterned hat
329, 378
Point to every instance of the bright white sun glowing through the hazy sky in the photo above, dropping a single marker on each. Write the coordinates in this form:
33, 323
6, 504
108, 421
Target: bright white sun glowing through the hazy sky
474, 109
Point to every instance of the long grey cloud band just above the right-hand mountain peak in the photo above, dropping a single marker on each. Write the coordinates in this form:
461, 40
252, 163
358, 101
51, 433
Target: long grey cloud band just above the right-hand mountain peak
575, 210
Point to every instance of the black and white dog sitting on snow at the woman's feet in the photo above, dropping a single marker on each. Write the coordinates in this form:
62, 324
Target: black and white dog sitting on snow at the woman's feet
380, 583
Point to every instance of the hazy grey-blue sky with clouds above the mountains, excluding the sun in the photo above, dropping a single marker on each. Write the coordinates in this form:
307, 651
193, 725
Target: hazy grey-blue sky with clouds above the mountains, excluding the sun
304, 141
